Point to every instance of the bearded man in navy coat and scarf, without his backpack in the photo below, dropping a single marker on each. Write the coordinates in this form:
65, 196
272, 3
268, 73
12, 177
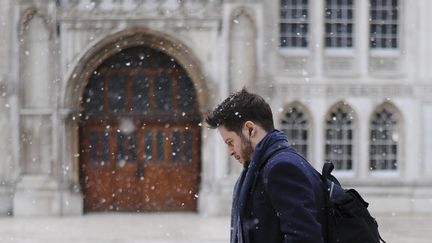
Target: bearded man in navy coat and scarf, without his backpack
278, 197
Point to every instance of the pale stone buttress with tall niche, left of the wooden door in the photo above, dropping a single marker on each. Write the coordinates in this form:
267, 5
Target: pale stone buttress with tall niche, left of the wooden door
37, 191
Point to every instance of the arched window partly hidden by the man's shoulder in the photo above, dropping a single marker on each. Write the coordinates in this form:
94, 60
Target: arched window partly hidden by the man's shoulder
295, 124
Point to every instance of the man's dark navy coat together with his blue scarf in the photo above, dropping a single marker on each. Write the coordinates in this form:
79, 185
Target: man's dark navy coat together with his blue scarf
278, 197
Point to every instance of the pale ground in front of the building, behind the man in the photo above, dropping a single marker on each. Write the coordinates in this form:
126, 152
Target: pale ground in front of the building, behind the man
167, 228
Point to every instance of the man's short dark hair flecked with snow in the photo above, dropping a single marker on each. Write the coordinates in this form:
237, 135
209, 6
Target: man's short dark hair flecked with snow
238, 108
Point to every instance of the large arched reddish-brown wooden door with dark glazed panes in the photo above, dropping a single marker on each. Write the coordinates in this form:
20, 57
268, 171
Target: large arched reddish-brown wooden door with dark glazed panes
140, 135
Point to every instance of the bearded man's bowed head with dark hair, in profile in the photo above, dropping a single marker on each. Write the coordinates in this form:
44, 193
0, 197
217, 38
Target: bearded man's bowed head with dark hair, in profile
242, 119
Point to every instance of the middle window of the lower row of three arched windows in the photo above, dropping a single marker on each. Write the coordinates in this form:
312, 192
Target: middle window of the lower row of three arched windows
339, 137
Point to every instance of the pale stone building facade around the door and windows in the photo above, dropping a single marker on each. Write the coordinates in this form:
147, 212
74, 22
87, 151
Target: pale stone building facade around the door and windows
48, 49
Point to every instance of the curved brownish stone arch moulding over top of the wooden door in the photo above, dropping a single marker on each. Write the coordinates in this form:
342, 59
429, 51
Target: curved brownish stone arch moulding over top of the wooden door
131, 37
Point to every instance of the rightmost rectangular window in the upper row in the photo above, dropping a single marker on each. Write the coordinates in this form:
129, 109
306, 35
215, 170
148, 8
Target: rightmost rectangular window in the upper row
384, 24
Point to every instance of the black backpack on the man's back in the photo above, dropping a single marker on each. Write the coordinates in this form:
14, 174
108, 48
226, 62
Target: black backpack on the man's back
348, 219
